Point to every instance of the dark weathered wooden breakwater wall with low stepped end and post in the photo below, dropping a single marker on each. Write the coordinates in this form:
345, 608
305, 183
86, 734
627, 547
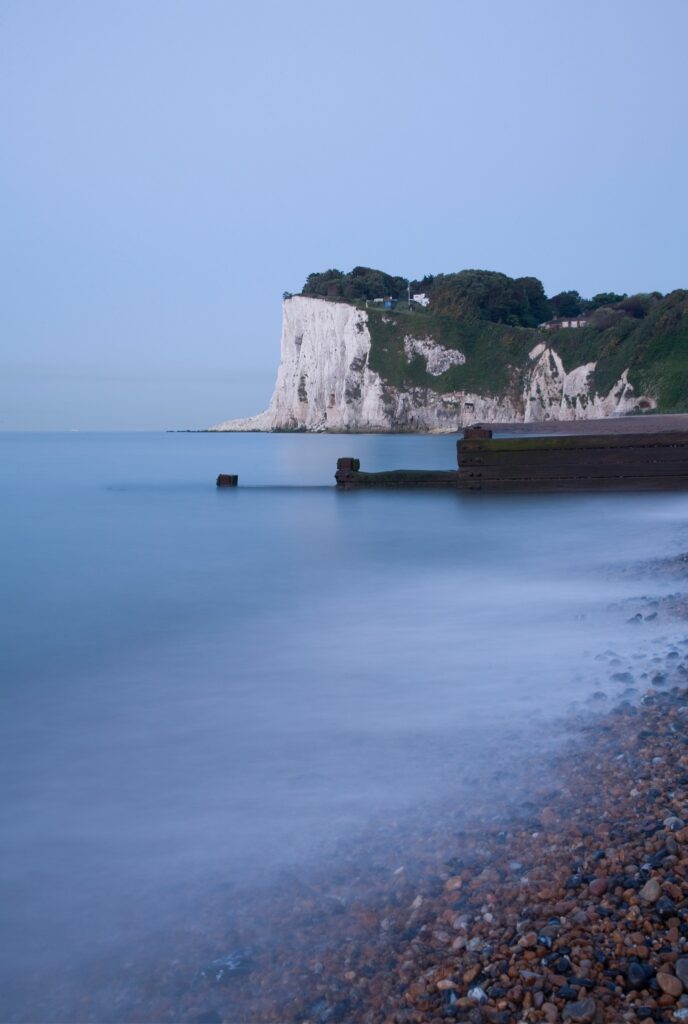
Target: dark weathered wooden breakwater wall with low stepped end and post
577, 462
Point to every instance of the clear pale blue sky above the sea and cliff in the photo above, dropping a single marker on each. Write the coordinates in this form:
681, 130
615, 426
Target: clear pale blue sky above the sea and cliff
168, 169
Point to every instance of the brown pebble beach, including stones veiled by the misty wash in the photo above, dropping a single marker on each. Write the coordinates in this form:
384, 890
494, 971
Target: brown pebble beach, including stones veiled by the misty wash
566, 900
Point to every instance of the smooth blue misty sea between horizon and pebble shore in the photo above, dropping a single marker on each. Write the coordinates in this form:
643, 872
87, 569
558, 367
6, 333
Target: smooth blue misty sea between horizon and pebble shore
203, 688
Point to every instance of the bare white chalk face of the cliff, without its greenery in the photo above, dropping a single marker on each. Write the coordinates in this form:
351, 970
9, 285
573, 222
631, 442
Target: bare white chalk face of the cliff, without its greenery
325, 382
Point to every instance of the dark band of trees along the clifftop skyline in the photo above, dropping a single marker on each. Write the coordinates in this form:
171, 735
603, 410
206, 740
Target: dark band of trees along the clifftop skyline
481, 294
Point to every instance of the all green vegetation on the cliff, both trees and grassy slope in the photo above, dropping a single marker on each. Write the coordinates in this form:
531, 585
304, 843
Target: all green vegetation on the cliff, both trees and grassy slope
494, 321
